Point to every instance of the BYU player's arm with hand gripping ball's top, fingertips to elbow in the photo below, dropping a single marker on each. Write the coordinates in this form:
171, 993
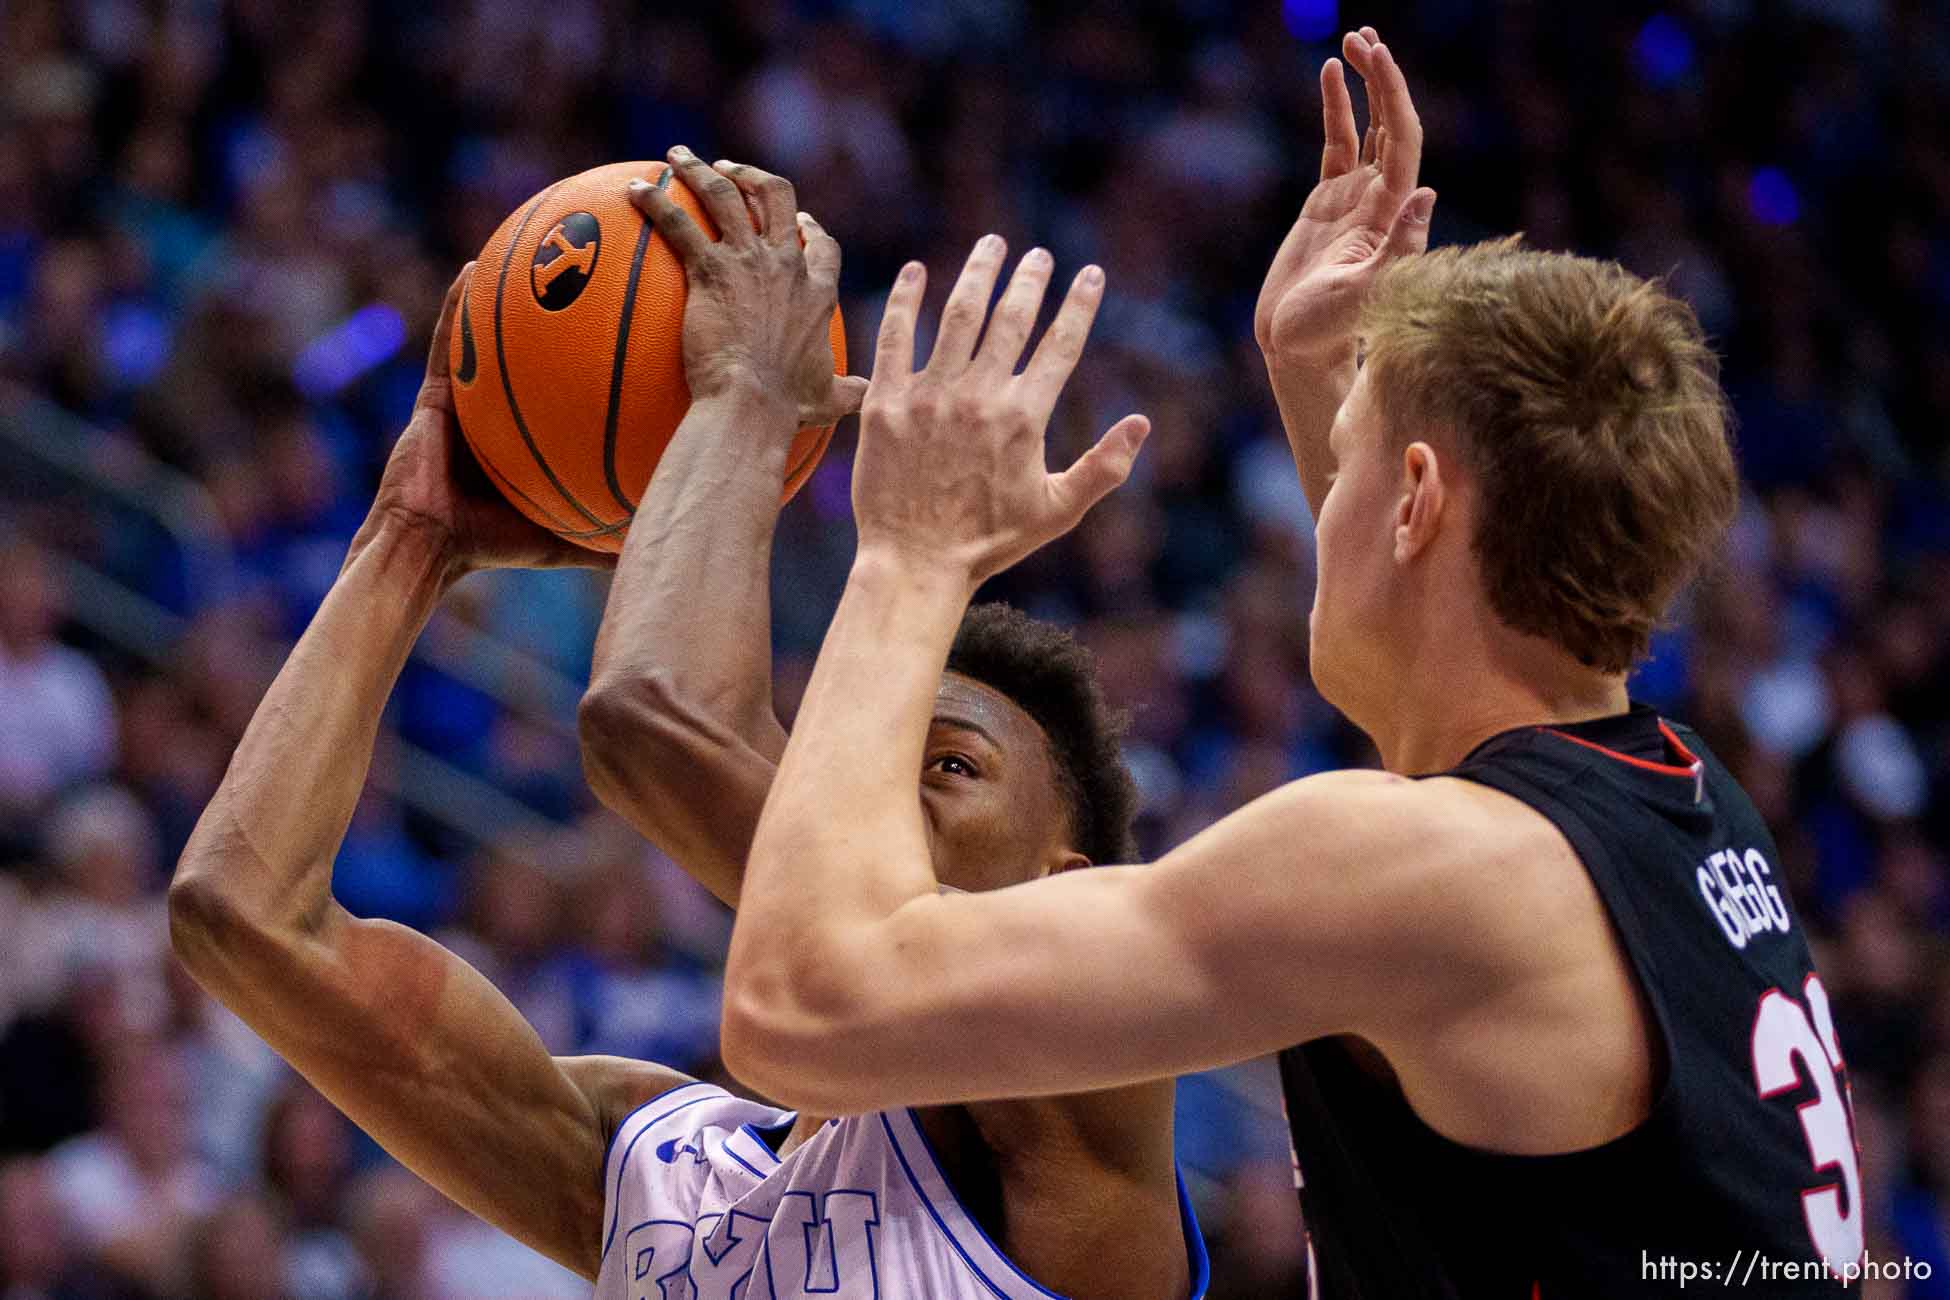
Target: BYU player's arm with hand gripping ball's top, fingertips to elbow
678, 728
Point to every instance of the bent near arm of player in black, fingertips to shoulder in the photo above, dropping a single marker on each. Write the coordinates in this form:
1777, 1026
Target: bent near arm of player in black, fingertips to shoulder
855, 985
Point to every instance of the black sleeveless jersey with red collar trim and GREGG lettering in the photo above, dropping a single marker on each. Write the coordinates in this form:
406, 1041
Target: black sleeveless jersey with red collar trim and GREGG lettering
1742, 1178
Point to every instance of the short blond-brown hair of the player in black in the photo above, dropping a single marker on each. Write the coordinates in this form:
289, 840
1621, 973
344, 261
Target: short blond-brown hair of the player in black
1590, 414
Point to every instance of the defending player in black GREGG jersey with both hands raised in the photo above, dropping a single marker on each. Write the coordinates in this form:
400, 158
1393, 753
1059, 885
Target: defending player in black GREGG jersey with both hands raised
1512, 950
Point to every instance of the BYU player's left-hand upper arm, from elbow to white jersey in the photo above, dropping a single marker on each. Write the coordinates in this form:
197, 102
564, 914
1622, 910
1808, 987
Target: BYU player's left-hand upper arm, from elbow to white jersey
430, 1059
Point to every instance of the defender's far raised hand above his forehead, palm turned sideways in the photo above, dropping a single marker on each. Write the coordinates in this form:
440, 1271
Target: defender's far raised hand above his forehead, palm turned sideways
1364, 213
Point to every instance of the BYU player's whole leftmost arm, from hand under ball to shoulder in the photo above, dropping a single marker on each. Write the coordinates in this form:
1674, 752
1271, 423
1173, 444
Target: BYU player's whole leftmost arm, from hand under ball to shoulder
403, 1036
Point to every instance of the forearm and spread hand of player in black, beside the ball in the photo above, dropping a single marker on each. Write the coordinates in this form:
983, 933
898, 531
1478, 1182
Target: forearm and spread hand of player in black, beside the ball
949, 488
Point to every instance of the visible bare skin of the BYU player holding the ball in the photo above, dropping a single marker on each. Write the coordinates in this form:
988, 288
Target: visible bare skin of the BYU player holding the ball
416, 1046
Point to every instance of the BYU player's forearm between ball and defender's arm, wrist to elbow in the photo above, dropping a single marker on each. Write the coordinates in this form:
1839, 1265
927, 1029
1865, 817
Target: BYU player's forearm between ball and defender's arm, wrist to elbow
680, 732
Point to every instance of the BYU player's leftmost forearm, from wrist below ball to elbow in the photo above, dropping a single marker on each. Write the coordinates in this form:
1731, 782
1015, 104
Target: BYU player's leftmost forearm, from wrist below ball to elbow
266, 845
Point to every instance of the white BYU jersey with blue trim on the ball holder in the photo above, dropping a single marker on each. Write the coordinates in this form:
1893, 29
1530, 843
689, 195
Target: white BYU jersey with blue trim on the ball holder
697, 1207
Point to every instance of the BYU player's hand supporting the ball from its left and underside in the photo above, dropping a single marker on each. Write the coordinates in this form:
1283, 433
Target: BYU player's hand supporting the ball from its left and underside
434, 484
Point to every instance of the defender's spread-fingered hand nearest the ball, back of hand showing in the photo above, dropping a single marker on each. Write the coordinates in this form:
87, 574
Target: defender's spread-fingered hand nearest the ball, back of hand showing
951, 469
